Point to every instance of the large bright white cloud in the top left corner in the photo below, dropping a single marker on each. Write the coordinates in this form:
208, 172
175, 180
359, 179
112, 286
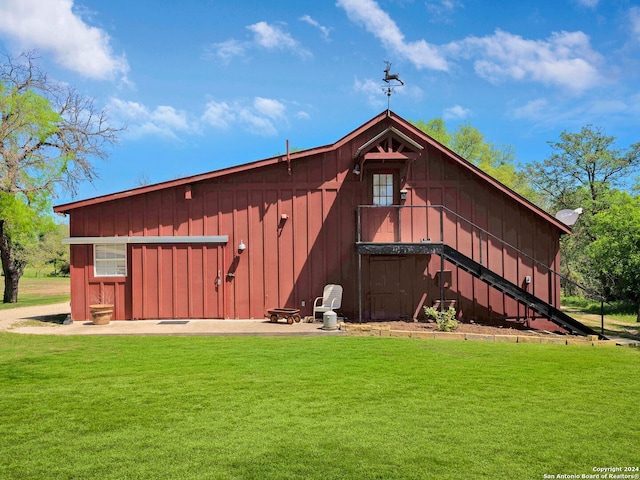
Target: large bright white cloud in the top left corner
52, 26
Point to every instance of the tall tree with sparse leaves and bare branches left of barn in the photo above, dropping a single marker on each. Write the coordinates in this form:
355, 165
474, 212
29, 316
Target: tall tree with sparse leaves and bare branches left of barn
49, 135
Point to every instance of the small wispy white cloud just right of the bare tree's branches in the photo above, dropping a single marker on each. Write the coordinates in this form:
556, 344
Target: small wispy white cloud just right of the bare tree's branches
163, 121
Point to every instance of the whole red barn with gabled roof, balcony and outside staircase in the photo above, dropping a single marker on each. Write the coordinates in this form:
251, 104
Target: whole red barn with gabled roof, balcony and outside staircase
388, 212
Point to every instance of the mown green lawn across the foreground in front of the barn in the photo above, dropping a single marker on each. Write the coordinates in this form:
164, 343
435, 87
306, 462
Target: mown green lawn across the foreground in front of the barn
325, 407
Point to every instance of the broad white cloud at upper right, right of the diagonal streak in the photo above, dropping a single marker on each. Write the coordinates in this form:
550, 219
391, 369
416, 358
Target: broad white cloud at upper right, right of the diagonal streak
566, 59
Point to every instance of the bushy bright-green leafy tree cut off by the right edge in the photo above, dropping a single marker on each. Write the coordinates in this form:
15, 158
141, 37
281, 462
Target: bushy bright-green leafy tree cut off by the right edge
615, 252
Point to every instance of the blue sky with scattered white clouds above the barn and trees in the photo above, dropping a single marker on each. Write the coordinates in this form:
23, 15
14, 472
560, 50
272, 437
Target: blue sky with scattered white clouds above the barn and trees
202, 85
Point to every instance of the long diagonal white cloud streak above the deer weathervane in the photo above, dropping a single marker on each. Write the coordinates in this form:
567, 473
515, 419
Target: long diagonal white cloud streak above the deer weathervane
369, 14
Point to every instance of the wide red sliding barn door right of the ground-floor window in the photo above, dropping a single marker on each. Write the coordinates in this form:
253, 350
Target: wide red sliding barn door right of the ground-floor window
175, 281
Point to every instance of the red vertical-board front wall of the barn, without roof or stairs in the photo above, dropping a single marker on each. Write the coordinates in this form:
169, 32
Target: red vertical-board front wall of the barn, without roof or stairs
300, 232
